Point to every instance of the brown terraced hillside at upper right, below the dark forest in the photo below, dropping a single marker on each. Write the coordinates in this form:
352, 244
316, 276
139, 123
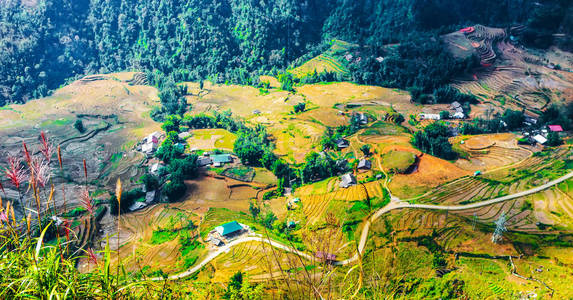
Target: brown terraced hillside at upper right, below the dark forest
511, 75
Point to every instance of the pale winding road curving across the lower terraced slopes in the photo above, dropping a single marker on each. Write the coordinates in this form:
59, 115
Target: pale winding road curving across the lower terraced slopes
395, 203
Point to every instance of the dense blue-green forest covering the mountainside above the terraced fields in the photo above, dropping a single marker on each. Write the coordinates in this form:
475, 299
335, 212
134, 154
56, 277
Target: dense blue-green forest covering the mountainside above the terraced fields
46, 42
